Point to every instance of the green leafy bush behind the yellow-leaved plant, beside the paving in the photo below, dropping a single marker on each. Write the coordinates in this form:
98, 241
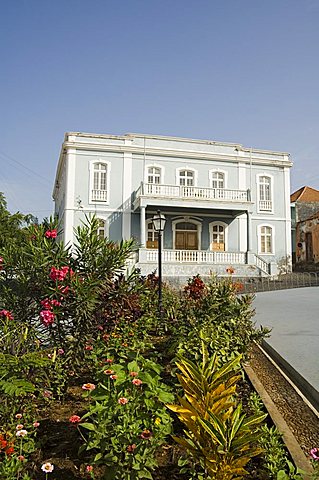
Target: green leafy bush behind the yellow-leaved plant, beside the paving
223, 318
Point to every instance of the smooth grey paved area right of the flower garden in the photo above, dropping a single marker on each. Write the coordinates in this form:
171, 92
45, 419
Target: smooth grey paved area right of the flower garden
294, 318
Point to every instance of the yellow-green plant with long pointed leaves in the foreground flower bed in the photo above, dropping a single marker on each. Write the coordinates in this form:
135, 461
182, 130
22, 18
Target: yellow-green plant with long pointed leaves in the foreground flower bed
218, 434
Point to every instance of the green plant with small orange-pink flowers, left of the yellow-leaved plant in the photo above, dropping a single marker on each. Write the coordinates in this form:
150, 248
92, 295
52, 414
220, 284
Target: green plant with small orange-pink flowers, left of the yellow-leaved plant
127, 420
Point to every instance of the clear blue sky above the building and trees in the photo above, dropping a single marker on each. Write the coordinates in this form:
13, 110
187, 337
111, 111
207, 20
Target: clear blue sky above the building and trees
241, 71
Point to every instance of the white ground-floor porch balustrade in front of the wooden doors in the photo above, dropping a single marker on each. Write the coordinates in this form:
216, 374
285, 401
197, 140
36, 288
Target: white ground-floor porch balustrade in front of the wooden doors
192, 256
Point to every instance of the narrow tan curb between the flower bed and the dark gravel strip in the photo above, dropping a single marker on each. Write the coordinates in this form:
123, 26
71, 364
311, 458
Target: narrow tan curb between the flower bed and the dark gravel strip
298, 456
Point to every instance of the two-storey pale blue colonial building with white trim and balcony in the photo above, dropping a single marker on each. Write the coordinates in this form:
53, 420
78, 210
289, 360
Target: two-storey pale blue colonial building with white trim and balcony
225, 205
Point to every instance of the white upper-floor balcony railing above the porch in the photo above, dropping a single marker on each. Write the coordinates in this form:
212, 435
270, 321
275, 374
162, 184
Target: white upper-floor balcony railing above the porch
196, 193
